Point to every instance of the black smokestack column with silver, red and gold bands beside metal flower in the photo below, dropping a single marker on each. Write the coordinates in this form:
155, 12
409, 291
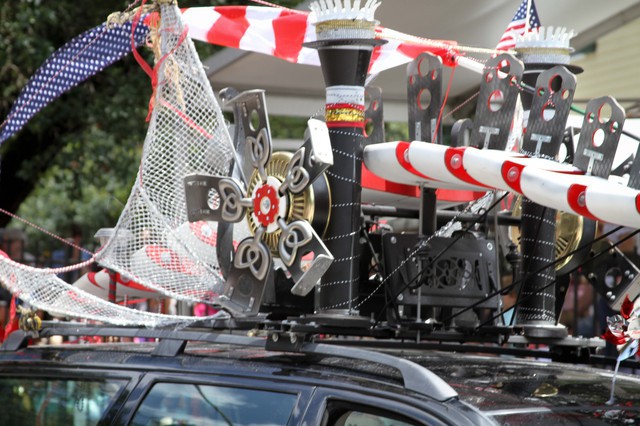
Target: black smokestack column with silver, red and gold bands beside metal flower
344, 67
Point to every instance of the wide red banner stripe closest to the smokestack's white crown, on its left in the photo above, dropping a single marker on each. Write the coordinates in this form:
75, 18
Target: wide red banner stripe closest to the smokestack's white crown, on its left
289, 30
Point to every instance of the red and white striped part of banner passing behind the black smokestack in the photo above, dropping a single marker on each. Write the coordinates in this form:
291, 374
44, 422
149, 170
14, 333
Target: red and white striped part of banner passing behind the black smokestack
281, 33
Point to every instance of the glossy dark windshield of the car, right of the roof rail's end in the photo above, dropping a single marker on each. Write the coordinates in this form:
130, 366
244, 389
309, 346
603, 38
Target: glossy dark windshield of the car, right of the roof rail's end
520, 392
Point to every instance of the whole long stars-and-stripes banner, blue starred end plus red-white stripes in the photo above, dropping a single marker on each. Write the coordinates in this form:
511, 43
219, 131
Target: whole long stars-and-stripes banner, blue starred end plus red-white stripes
273, 31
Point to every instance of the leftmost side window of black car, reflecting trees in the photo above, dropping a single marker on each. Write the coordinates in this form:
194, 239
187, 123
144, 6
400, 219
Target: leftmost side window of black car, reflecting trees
55, 402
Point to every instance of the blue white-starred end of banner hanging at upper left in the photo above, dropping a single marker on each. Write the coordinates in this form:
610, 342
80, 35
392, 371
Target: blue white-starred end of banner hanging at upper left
79, 59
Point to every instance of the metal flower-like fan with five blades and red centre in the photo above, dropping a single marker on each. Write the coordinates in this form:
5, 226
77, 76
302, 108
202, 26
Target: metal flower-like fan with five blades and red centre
267, 200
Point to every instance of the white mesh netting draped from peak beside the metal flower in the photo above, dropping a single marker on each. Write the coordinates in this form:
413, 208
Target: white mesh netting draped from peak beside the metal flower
153, 243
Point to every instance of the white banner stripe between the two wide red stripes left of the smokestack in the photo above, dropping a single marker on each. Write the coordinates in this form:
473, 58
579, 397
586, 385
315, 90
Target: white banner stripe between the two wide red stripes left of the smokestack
260, 37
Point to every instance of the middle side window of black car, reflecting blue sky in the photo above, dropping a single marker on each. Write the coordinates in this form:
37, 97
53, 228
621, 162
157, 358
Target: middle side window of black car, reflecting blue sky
196, 404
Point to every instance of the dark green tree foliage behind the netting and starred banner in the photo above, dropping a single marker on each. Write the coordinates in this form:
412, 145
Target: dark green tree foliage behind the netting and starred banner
74, 163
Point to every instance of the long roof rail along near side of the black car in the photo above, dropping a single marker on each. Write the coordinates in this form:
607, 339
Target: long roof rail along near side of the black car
173, 342
